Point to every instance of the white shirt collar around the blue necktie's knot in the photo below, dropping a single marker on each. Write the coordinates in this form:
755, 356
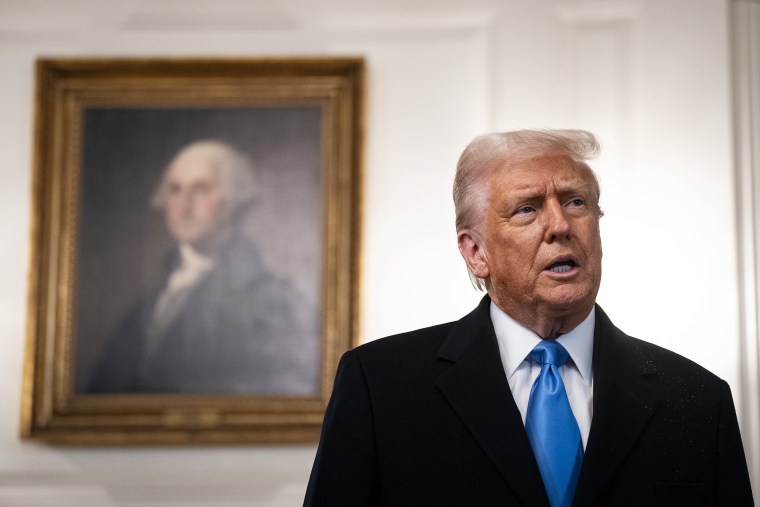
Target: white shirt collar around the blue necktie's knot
516, 341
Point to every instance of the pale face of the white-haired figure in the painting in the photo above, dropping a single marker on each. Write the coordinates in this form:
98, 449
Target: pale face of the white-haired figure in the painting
195, 200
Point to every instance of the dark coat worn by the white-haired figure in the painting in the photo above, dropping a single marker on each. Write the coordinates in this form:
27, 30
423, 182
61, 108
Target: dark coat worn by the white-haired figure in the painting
241, 330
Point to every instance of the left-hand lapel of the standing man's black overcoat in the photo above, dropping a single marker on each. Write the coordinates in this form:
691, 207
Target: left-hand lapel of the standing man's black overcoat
477, 389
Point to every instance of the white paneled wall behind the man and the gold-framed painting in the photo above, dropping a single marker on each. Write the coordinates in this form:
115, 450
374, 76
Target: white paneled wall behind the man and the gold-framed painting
651, 77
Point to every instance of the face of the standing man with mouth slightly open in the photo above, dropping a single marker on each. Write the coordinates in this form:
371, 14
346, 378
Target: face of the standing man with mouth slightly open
541, 233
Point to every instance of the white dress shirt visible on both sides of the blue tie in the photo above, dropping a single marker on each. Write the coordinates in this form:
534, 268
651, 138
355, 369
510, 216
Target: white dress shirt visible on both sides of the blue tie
515, 343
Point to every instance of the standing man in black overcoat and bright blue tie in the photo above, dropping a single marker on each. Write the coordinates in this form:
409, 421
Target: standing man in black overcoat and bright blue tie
463, 413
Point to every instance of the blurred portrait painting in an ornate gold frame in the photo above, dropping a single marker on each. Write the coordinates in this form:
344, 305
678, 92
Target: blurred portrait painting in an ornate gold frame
194, 271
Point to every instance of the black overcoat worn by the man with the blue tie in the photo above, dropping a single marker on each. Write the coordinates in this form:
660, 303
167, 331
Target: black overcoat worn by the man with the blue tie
428, 418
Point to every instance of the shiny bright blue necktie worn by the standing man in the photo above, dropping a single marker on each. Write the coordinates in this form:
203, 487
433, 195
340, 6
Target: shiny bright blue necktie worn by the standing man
552, 428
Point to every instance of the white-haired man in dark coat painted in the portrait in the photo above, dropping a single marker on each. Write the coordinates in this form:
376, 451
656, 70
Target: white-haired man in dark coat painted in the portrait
218, 321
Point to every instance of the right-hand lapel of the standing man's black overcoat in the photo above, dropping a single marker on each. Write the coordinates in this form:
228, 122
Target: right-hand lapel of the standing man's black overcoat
623, 405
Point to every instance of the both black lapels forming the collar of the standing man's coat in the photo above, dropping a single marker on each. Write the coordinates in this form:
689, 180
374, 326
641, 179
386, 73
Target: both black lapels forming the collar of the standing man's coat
477, 389
